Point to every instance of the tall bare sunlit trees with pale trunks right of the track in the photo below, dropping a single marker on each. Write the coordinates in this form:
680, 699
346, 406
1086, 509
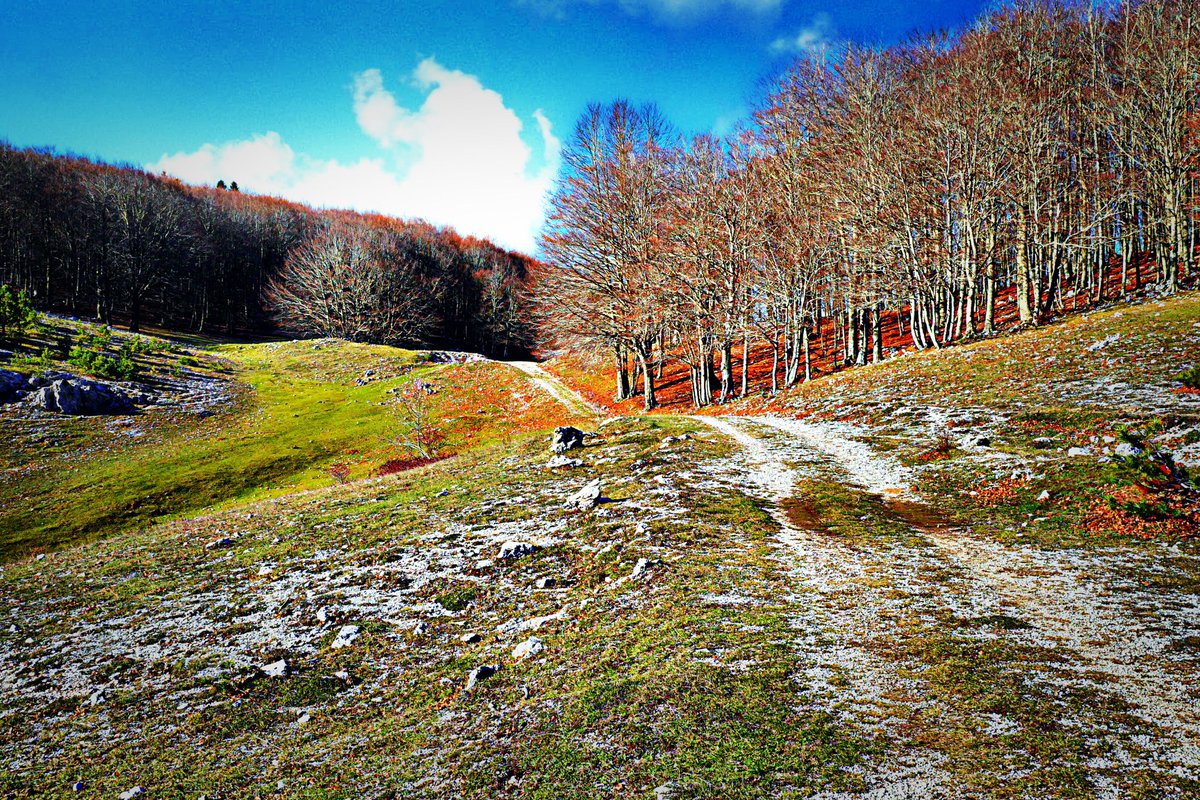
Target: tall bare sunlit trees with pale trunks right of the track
1042, 161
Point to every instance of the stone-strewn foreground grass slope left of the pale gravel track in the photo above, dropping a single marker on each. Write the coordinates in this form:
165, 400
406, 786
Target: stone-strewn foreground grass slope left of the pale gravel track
644, 682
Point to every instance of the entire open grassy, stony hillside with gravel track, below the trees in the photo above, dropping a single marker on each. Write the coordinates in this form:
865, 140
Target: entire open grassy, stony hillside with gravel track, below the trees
903, 581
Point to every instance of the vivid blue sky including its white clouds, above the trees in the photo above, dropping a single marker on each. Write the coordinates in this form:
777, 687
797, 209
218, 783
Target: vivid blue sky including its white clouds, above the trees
451, 111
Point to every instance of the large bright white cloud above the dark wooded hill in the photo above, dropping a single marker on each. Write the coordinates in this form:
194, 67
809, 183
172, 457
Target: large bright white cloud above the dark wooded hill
459, 160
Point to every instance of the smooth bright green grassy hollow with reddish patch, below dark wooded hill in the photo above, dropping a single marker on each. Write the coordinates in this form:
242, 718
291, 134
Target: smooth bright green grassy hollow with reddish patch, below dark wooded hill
298, 411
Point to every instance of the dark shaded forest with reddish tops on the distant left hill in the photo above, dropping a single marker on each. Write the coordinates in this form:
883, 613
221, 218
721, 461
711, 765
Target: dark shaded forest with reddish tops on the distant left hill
121, 245
